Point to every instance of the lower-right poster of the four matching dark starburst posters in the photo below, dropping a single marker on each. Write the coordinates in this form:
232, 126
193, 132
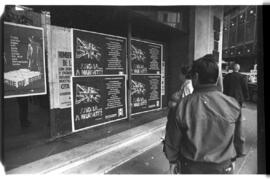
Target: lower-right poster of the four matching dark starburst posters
145, 93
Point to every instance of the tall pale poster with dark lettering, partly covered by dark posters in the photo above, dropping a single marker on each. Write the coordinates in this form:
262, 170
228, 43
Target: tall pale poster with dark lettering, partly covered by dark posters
60, 69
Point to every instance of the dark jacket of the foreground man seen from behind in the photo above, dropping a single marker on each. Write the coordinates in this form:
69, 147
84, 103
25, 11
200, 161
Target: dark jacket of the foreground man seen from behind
207, 128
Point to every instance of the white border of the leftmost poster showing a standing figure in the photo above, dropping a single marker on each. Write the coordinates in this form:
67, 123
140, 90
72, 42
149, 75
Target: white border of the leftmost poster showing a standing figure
44, 63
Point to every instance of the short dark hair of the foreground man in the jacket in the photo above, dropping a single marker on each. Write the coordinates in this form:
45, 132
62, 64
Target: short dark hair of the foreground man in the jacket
207, 69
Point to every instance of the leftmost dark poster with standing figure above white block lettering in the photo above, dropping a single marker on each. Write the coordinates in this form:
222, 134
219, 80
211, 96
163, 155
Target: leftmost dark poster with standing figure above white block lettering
24, 61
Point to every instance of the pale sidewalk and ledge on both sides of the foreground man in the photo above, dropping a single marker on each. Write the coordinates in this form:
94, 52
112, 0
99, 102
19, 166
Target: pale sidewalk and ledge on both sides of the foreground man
115, 154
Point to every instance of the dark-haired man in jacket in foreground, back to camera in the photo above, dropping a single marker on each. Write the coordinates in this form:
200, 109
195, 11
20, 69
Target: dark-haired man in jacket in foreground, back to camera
206, 135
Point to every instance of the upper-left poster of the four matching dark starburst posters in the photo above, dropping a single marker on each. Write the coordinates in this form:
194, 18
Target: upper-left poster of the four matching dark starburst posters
98, 54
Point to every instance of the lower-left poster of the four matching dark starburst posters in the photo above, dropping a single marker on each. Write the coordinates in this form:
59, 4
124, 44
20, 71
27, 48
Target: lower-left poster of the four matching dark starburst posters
98, 100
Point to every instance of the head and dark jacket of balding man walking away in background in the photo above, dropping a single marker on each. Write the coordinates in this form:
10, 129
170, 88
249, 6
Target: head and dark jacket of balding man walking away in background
235, 85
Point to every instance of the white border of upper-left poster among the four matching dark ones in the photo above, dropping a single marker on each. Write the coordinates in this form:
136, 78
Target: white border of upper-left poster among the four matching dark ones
93, 32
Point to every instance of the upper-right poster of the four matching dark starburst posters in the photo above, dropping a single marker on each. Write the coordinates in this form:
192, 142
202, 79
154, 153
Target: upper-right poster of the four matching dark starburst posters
145, 57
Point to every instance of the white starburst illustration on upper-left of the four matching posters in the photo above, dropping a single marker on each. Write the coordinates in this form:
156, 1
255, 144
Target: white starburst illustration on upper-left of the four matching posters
88, 49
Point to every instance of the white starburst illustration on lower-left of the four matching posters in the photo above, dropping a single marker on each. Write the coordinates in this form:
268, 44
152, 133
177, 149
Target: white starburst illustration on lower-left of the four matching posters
86, 94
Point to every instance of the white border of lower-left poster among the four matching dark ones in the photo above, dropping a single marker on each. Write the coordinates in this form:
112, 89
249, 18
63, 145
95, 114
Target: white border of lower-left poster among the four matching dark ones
100, 124
